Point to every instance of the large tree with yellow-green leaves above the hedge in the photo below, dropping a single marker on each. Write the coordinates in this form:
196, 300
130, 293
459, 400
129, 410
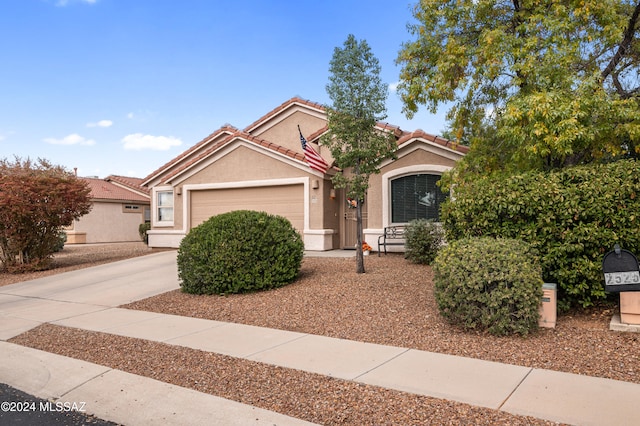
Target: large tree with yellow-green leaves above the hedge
533, 83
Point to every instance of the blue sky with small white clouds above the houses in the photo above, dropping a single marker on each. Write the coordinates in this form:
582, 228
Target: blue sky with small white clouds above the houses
123, 86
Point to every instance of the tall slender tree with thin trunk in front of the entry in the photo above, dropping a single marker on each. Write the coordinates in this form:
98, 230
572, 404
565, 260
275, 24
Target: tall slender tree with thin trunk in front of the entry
359, 103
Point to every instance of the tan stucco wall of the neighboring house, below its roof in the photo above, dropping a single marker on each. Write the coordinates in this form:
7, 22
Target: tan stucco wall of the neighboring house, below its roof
108, 223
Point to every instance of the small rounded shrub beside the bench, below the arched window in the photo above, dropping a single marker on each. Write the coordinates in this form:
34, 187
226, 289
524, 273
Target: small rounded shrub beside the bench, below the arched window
423, 239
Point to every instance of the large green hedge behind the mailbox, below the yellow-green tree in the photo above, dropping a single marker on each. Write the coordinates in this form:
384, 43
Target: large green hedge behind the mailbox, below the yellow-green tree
572, 217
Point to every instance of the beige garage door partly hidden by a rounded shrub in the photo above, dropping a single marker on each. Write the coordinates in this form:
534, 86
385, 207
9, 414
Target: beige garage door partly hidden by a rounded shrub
284, 200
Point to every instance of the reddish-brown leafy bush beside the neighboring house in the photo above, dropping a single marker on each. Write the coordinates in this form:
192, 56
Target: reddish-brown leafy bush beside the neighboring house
37, 200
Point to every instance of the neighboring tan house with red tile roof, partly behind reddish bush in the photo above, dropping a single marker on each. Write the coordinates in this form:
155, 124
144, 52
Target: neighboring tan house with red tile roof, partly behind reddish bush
120, 205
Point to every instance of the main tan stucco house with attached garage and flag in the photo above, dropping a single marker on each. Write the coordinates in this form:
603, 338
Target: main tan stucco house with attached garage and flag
263, 168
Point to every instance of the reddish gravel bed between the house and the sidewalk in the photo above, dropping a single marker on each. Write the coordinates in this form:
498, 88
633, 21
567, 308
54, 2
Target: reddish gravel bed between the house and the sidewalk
393, 304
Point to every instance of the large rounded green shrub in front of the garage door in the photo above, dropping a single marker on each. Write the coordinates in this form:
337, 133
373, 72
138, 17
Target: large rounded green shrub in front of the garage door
239, 252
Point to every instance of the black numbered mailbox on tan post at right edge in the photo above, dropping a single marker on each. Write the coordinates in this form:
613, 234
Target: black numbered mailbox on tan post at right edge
622, 275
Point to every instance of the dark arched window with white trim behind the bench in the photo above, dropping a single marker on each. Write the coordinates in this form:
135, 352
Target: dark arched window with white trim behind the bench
416, 197
